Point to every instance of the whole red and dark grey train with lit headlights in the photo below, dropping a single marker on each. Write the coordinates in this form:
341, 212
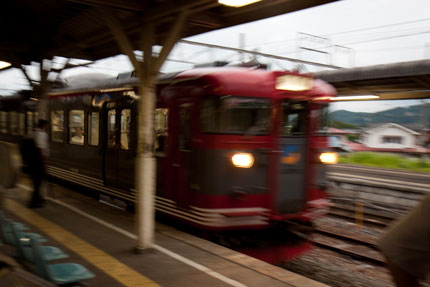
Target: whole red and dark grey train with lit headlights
240, 152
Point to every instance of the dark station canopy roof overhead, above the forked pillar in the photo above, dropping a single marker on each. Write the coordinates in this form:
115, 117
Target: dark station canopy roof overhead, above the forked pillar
36, 30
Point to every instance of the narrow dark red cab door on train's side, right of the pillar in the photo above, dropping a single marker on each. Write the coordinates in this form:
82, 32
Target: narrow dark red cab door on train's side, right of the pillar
181, 157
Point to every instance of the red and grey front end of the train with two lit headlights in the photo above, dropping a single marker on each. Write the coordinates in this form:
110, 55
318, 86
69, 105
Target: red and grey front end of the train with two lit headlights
257, 160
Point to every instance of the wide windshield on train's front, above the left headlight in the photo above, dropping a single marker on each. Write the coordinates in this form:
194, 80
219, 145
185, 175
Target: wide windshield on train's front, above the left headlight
235, 115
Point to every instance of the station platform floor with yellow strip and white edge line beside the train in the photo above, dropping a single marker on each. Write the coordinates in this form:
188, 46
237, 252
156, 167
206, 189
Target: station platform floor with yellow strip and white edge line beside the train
101, 238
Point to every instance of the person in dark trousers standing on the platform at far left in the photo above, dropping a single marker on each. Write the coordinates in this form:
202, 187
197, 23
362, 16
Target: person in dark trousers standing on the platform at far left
40, 158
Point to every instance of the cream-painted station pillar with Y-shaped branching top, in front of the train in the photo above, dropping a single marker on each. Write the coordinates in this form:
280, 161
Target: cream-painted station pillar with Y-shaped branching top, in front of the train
145, 164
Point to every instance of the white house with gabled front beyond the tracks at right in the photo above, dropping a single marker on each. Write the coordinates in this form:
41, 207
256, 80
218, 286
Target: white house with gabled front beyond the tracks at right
390, 137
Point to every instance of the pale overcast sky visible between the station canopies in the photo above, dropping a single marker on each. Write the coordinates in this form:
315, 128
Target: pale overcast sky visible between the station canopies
348, 33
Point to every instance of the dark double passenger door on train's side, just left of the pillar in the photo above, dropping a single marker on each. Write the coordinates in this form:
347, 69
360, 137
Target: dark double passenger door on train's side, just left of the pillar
118, 146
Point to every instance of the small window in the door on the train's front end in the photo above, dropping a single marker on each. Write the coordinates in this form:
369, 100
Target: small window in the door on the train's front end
294, 120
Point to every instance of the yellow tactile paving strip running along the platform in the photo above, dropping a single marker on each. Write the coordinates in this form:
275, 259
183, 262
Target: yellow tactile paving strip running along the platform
103, 261
